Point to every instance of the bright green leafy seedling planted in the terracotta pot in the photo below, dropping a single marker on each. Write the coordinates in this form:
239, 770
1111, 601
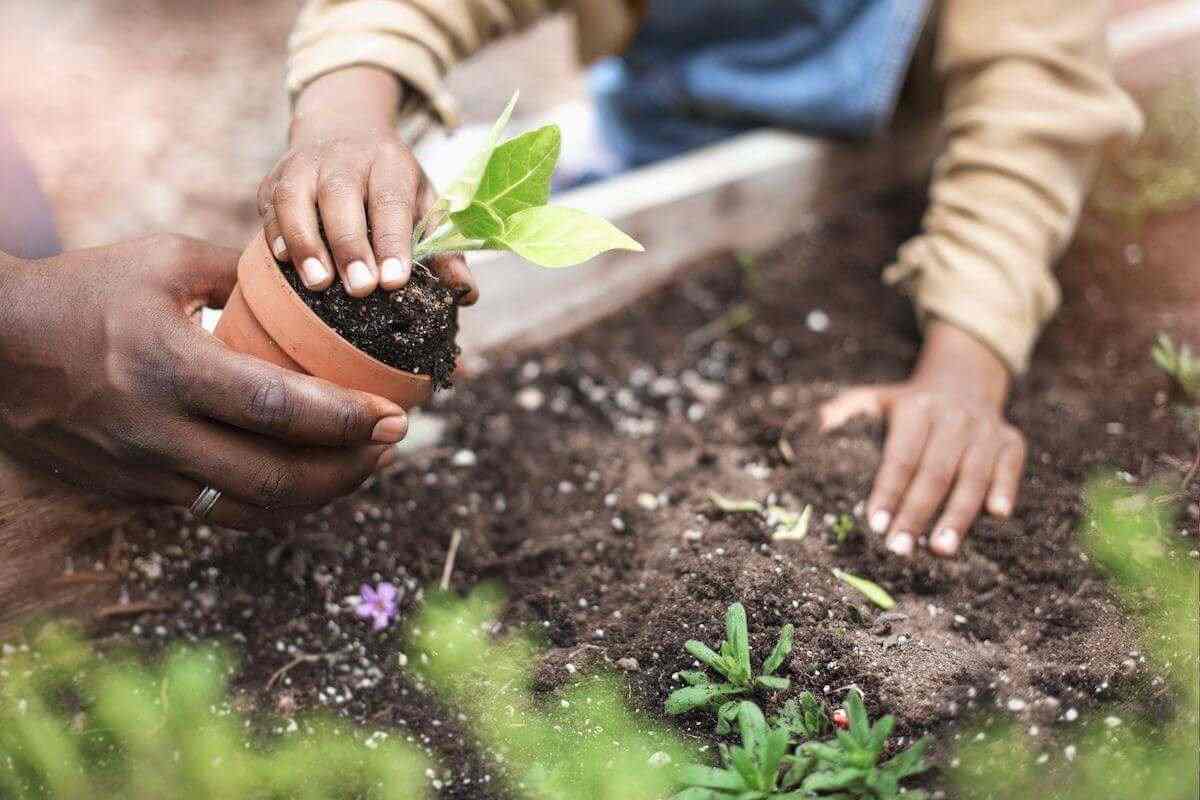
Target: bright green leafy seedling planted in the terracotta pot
501, 203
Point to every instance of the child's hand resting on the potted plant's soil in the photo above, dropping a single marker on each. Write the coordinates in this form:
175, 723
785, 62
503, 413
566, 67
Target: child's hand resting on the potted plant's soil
350, 176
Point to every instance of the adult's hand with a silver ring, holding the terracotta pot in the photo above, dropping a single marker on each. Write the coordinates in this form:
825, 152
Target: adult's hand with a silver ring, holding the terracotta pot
109, 383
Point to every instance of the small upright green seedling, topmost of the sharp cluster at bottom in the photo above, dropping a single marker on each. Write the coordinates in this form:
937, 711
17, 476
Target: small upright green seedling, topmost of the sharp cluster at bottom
733, 664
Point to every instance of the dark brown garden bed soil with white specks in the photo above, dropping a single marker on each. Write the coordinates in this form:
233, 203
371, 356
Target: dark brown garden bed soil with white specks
587, 500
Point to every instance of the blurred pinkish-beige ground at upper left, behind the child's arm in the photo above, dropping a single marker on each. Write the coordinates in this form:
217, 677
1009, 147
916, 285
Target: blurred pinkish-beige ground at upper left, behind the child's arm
161, 116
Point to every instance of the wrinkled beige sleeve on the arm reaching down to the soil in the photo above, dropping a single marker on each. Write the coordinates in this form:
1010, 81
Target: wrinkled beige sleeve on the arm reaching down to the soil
1029, 104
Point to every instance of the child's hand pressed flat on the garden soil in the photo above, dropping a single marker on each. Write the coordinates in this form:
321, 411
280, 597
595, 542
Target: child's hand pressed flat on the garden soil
949, 443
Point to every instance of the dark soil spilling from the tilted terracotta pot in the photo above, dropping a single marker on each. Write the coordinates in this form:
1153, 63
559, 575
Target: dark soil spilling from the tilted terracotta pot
412, 329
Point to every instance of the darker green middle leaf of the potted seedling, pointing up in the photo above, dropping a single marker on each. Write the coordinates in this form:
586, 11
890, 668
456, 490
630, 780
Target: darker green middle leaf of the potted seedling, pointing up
518, 178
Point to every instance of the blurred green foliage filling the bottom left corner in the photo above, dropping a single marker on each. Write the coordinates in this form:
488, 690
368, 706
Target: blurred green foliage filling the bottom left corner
80, 726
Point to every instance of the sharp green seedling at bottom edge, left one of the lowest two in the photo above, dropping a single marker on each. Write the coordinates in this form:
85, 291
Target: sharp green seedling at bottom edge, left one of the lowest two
761, 769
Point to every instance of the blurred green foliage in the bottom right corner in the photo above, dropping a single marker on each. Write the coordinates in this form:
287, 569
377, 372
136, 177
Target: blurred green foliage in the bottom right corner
1113, 757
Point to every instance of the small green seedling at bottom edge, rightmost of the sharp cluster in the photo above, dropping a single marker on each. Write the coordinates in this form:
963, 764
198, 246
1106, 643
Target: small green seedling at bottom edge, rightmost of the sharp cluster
849, 767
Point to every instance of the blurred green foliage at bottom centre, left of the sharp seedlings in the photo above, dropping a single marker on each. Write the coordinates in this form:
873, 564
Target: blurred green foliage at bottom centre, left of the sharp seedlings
581, 744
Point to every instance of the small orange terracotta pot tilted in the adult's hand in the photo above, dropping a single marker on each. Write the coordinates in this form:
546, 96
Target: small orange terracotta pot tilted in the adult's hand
266, 318
